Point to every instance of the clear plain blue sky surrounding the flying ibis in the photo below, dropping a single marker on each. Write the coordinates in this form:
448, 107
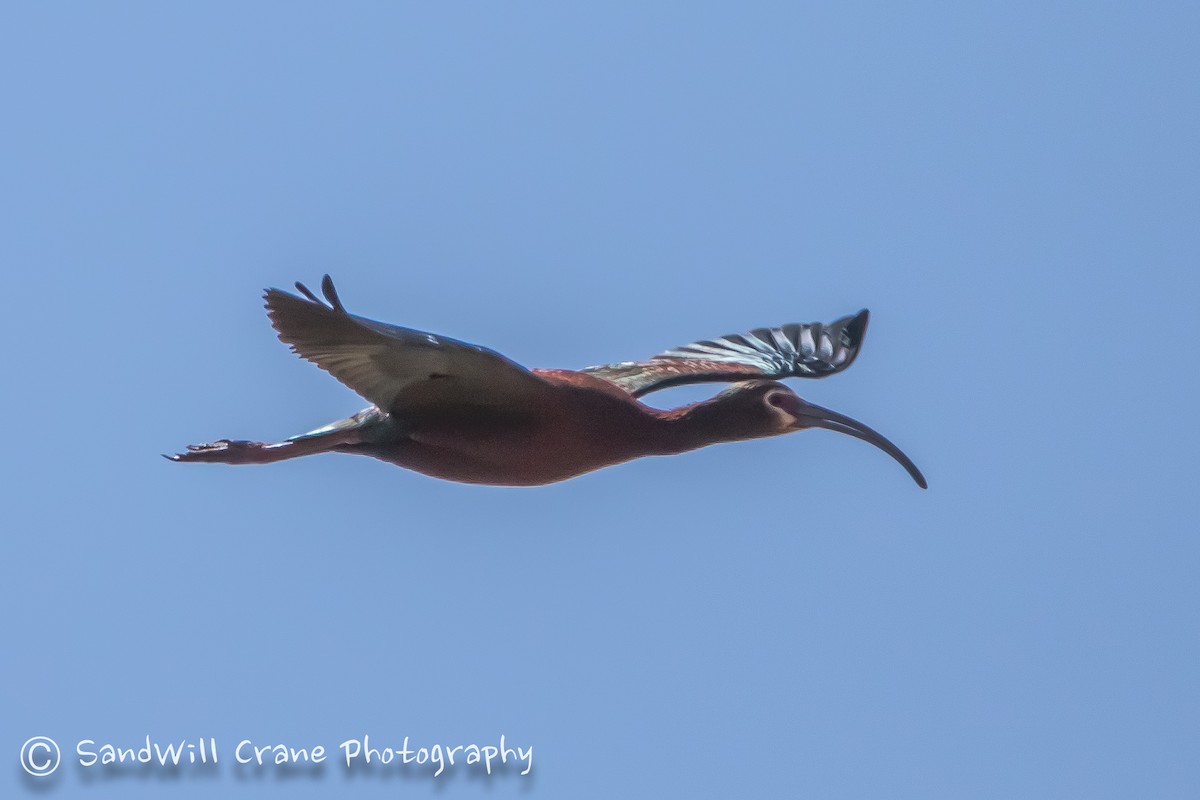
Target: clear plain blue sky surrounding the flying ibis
1012, 189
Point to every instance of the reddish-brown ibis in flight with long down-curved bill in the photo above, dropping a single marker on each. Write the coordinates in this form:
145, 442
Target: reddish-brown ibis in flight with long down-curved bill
464, 413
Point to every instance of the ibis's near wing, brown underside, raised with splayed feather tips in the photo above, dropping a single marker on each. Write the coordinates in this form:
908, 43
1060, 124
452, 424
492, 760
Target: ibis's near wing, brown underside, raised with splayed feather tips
397, 369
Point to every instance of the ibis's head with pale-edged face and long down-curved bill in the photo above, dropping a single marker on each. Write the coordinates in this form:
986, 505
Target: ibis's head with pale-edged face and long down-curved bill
766, 408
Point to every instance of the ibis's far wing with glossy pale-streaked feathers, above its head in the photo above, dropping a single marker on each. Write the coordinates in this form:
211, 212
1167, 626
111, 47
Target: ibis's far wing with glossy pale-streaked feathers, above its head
795, 351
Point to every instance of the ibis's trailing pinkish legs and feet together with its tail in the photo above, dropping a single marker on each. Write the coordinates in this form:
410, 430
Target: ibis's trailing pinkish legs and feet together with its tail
367, 426
